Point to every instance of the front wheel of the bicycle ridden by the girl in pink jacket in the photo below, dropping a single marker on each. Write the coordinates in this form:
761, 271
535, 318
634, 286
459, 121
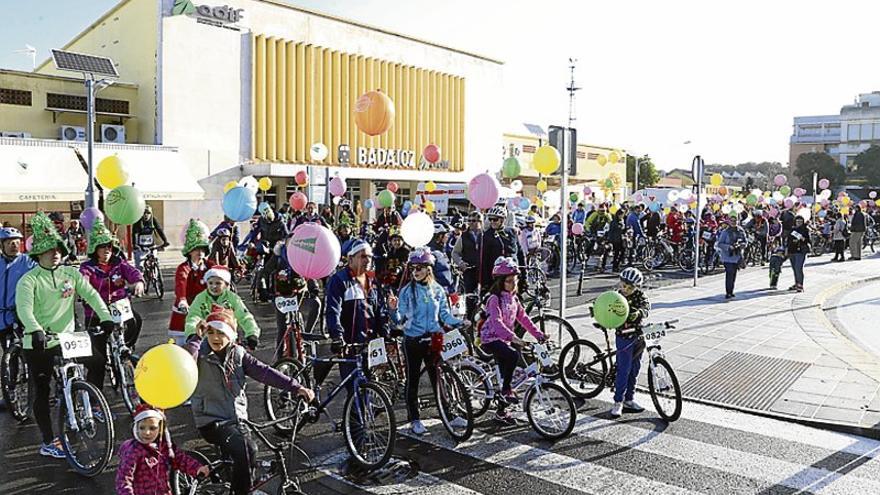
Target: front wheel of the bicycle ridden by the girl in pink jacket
550, 410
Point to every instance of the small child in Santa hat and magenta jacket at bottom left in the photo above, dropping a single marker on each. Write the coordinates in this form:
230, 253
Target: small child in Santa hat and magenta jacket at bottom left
146, 461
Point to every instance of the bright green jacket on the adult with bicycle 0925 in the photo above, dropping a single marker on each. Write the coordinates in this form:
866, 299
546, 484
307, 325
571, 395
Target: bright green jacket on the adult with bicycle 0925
45, 300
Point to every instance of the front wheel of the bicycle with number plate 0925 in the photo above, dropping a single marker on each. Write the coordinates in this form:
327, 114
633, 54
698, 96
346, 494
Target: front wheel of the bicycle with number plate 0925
88, 442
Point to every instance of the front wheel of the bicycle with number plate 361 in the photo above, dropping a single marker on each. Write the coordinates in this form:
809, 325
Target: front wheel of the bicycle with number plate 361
369, 426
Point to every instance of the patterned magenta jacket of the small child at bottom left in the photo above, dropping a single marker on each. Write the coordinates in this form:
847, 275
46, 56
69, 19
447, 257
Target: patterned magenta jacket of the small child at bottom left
144, 469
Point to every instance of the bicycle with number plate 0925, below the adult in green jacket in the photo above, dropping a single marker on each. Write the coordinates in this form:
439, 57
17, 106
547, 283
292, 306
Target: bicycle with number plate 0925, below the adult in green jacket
85, 416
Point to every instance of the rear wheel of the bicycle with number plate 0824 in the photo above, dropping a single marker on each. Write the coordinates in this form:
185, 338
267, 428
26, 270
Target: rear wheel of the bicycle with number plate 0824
583, 369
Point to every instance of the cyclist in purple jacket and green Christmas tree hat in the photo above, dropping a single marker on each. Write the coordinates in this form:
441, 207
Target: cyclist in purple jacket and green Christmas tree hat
113, 278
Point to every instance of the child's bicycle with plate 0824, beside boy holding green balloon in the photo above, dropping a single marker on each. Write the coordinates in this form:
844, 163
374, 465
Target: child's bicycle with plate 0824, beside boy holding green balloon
586, 370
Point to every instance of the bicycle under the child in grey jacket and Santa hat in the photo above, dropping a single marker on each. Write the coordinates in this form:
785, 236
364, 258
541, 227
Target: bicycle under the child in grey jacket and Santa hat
273, 477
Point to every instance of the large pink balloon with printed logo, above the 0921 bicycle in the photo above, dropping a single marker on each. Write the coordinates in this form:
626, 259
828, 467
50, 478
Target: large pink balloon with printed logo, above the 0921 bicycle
313, 251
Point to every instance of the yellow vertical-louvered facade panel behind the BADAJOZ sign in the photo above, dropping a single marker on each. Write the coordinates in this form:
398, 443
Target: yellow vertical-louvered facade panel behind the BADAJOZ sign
304, 94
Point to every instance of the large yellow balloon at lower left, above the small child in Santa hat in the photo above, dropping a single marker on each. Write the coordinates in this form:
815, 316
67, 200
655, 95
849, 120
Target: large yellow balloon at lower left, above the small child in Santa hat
166, 376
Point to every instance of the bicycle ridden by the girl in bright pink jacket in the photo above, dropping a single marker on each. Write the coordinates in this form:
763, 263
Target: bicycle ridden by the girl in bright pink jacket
549, 407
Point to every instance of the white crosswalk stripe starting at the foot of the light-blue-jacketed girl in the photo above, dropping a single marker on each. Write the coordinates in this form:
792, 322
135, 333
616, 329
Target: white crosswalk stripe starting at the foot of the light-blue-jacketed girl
545, 465
